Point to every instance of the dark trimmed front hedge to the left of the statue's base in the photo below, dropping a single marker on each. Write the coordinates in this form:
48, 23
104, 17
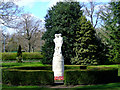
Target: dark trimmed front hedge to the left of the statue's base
27, 77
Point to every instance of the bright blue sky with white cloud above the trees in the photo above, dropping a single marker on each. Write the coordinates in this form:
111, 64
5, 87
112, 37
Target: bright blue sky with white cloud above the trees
39, 8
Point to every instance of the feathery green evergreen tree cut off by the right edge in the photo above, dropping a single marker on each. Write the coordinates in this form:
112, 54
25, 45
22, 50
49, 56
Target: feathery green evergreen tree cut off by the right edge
111, 29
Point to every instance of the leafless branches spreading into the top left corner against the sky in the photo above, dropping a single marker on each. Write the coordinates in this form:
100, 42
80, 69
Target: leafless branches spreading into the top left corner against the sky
8, 13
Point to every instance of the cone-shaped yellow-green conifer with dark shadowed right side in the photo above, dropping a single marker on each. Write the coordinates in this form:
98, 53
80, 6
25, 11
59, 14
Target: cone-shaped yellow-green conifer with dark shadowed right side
88, 49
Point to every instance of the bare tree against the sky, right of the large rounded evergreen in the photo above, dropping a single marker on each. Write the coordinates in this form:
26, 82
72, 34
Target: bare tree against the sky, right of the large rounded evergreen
92, 10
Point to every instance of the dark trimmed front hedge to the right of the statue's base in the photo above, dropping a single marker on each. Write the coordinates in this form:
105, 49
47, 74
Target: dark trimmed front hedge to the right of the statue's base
90, 76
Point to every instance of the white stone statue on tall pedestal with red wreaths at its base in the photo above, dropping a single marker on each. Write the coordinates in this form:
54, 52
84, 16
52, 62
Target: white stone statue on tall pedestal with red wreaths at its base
58, 60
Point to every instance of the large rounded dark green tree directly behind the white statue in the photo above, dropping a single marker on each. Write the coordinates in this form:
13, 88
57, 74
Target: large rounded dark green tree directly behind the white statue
59, 20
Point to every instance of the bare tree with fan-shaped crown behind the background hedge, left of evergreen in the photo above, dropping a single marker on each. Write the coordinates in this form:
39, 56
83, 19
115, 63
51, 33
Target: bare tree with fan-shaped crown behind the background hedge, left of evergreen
28, 27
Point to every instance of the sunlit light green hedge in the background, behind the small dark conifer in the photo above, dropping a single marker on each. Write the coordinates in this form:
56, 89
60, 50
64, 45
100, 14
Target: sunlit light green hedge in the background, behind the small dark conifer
25, 56
